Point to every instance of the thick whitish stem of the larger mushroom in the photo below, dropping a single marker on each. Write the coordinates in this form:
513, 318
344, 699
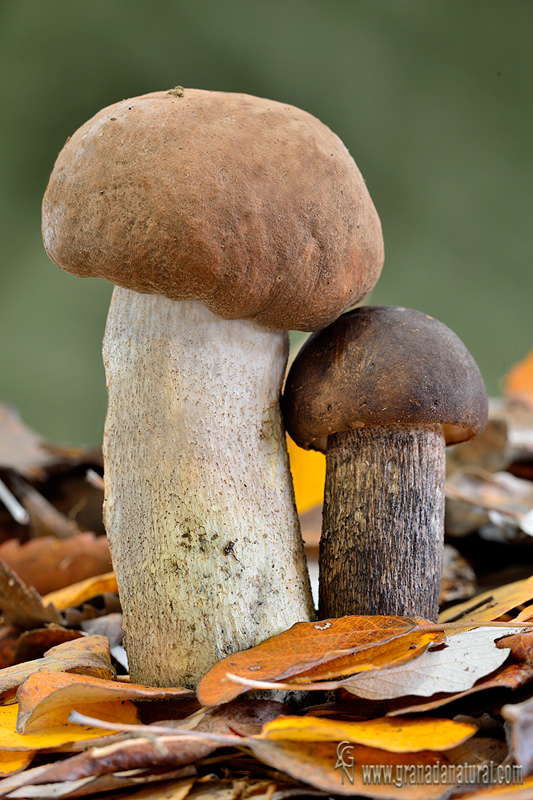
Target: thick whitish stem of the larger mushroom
199, 505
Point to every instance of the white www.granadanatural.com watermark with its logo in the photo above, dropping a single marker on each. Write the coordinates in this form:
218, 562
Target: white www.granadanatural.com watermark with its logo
398, 775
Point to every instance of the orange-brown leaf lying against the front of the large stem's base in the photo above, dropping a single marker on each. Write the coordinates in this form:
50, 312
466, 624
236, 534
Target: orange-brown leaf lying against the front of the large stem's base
305, 645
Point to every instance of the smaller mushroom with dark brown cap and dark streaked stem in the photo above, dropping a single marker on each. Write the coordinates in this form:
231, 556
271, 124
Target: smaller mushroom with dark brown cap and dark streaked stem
383, 390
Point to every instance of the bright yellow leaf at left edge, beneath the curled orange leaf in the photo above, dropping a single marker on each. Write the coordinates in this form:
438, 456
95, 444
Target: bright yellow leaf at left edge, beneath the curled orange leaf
53, 731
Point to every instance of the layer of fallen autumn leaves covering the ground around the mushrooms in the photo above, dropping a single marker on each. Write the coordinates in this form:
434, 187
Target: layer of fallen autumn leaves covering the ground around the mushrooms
389, 675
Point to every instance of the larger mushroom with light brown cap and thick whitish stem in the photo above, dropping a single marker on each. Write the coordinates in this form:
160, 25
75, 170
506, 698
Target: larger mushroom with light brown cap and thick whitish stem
224, 220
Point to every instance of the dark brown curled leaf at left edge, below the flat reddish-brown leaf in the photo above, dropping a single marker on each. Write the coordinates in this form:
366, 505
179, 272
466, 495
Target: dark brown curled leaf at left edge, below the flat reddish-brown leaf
21, 606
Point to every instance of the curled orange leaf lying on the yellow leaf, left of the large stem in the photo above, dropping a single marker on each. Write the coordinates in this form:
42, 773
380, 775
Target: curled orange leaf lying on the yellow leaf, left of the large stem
47, 690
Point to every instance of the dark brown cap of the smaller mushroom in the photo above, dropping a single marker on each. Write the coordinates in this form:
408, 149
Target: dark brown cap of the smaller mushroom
383, 365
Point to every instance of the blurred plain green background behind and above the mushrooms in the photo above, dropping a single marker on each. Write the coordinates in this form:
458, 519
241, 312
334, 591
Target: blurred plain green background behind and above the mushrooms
432, 97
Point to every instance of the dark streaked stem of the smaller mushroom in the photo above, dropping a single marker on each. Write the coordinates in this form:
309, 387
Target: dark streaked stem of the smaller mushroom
383, 522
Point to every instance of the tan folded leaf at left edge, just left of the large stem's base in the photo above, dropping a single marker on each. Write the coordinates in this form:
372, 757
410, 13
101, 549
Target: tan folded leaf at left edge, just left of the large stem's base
86, 656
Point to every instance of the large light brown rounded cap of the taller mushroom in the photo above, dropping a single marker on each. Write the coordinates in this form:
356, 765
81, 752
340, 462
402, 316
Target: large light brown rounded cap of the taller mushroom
251, 206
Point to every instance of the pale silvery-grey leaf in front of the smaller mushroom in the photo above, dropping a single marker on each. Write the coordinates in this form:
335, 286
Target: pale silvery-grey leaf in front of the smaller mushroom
456, 667
